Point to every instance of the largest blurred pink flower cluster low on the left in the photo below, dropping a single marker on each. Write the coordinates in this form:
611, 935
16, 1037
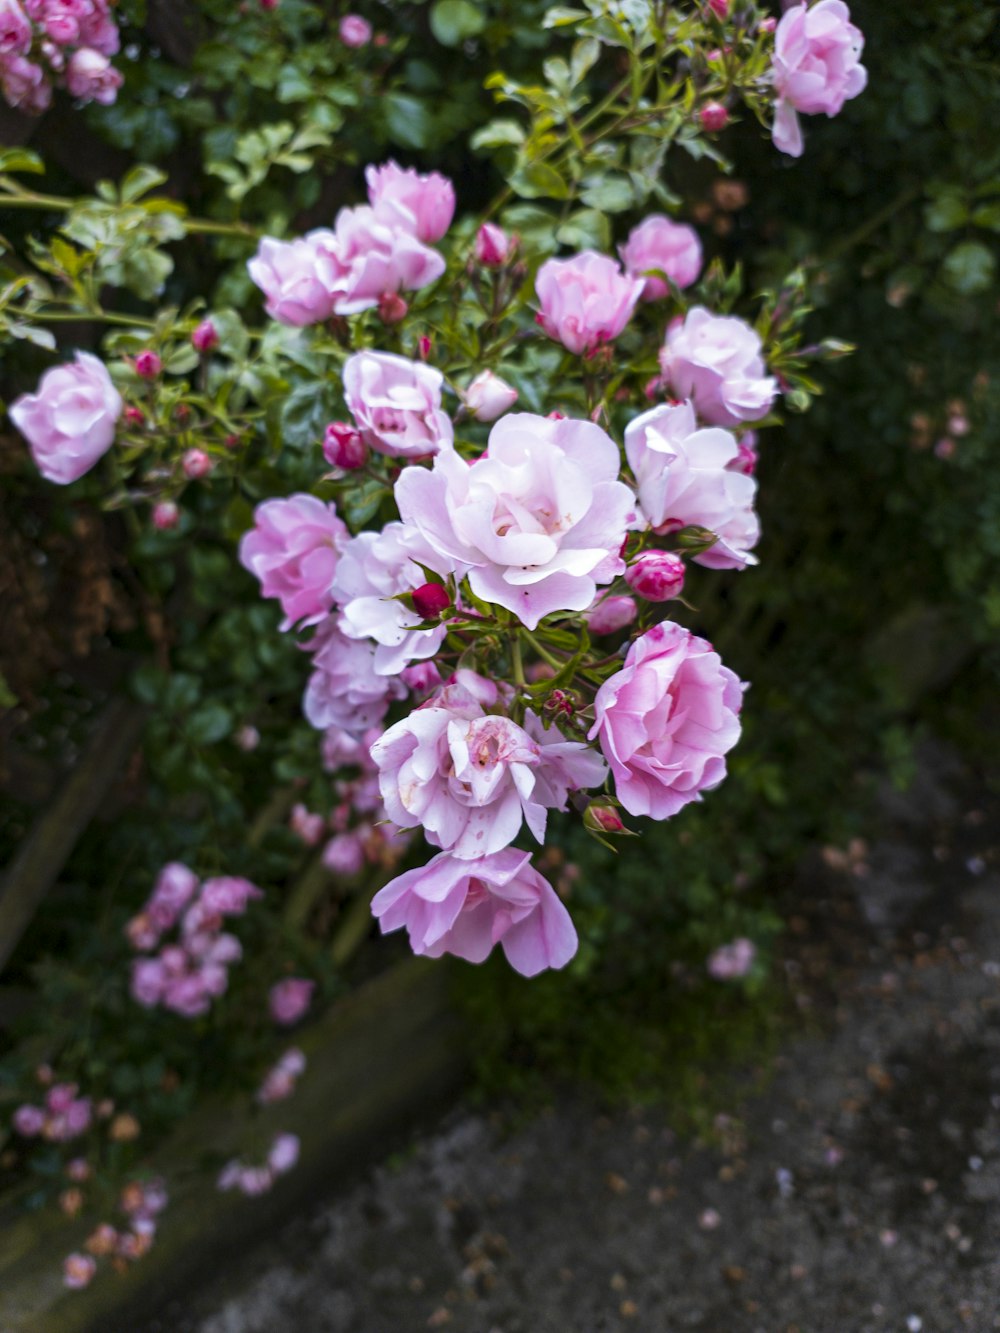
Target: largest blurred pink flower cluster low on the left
187, 975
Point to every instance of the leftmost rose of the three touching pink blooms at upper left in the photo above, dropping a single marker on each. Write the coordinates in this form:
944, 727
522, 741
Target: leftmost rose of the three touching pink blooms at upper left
301, 279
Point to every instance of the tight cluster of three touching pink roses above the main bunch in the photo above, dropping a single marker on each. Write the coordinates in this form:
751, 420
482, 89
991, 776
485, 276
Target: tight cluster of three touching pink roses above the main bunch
374, 251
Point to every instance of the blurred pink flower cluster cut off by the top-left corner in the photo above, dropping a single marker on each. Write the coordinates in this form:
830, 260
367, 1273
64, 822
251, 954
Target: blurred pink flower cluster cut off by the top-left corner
58, 42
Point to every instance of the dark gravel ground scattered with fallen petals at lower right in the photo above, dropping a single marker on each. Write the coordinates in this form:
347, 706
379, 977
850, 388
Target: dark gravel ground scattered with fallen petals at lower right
859, 1194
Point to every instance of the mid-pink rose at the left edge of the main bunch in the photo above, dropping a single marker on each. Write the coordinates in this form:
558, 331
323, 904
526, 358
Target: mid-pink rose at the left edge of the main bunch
294, 550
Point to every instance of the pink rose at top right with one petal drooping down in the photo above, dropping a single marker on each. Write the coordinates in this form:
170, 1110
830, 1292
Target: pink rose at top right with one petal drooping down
817, 67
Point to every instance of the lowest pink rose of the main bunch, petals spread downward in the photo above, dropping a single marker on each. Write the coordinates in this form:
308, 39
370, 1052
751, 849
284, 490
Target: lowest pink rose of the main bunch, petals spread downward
467, 907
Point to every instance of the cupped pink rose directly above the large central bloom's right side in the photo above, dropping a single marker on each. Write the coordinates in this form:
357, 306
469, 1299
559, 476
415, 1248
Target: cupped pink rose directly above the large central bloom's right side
586, 301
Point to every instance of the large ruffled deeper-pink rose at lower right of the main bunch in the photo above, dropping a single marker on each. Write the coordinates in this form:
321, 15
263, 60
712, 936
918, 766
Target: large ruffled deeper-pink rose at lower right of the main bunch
666, 720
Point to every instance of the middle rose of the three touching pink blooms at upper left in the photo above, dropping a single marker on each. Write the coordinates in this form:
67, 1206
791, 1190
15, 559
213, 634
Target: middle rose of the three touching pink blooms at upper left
378, 254
